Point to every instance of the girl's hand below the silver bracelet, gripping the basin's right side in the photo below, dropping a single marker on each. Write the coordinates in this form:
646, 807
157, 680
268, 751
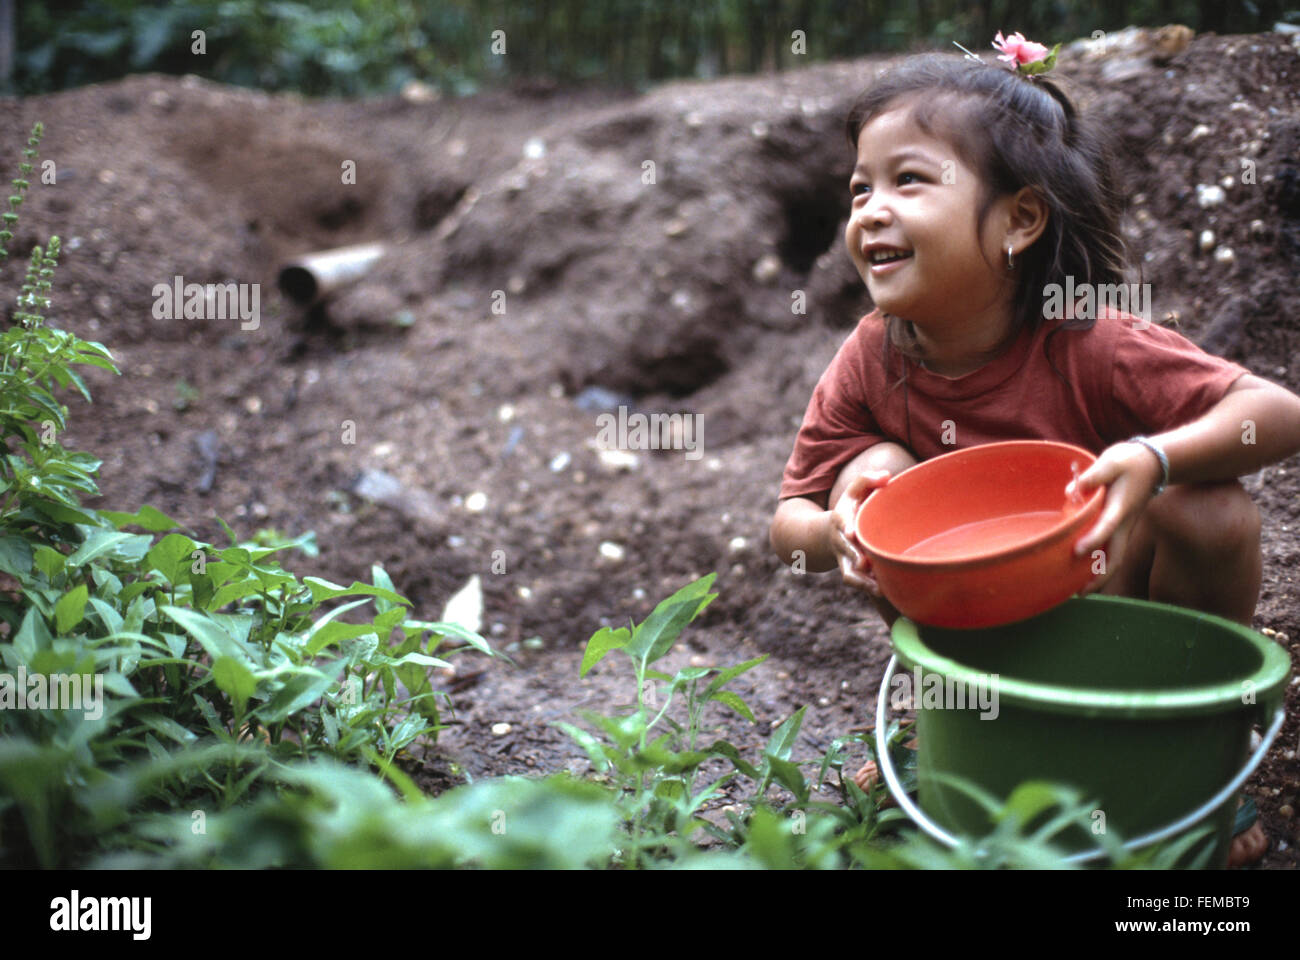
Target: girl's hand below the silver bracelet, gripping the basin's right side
1132, 472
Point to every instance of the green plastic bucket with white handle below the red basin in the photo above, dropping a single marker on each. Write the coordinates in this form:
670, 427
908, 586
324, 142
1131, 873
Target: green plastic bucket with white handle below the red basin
1146, 708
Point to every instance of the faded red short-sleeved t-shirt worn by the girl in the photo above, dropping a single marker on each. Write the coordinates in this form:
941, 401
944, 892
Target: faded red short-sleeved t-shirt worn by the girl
1123, 380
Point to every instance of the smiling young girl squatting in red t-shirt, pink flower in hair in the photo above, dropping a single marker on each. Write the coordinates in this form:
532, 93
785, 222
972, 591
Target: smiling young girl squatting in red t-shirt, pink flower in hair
978, 189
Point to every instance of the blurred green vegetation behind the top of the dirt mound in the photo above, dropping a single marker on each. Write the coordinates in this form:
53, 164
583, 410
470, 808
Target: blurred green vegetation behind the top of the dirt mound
376, 46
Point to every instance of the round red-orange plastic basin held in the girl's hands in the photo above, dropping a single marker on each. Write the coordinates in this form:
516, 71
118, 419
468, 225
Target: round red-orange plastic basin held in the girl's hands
982, 537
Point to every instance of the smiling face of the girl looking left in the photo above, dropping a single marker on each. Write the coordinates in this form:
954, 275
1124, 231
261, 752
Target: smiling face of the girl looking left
916, 198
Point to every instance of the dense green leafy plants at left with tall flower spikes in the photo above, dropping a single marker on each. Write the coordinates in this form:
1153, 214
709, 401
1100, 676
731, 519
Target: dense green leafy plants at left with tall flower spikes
200, 671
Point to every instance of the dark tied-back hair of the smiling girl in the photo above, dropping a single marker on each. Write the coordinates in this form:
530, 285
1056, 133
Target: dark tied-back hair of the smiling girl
1015, 132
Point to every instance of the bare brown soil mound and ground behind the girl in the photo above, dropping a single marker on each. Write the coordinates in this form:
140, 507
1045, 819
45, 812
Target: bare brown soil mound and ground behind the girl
675, 295
